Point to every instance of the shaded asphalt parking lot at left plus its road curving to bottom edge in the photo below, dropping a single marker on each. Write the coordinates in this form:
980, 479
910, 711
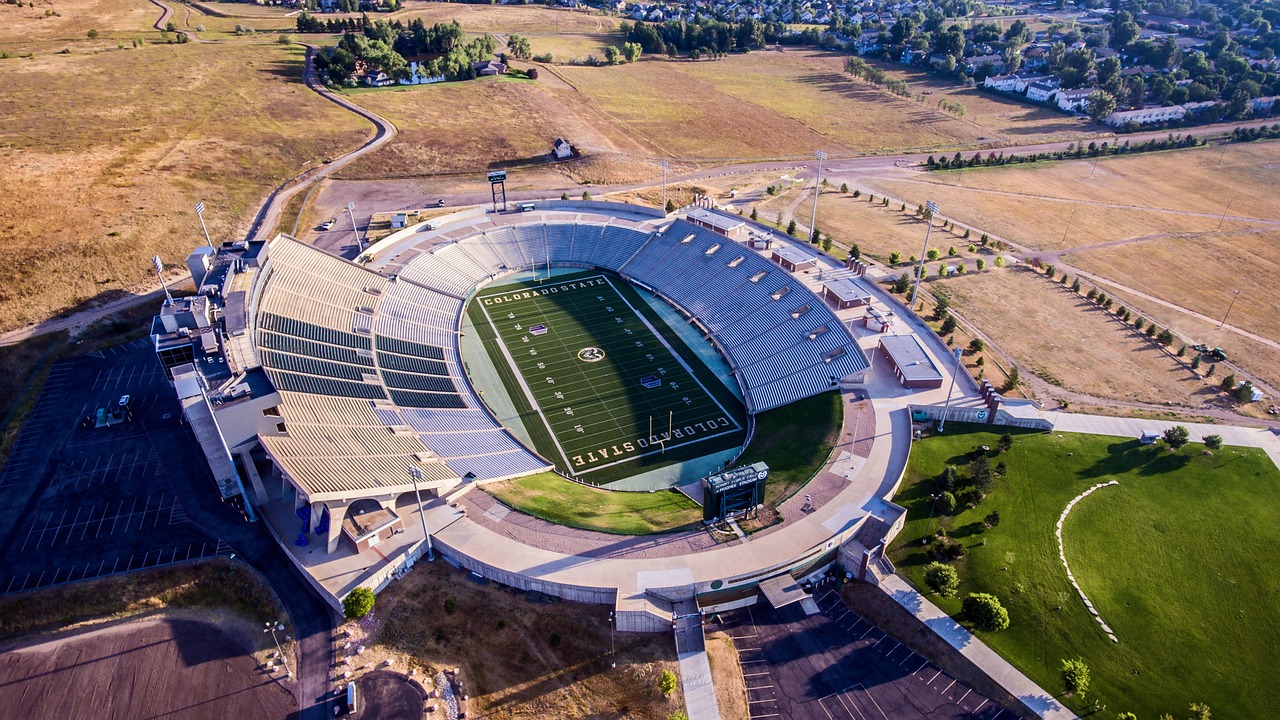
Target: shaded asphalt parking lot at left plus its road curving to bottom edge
79, 503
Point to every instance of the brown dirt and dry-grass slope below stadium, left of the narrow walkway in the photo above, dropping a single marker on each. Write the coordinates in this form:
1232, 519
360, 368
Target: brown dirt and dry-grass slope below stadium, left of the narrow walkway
516, 659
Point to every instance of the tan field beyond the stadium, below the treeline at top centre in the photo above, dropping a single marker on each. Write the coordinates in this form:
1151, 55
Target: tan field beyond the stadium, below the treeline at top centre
771, 104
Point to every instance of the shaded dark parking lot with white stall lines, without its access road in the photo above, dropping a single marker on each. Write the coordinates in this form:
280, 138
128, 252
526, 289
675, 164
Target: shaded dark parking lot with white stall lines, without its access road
79, 502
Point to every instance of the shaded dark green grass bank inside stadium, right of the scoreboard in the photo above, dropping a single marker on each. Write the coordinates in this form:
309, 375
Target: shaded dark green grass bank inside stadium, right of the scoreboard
794, 441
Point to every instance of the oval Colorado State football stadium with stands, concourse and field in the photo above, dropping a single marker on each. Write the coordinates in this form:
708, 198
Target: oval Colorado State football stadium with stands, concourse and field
362, 407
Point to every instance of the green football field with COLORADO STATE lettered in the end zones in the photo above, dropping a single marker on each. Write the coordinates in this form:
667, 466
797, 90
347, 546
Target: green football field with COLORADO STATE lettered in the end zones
605, 382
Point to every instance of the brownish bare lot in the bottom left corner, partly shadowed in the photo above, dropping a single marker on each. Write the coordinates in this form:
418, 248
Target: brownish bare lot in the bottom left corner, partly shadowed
147, 669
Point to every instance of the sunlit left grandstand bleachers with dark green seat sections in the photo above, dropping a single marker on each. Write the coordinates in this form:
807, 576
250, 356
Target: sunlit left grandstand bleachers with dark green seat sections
354, 349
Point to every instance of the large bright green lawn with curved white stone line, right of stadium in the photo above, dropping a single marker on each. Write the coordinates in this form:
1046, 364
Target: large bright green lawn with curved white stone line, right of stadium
1168, 558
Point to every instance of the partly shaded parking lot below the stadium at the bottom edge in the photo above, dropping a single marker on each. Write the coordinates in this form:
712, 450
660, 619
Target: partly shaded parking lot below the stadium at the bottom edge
839, 667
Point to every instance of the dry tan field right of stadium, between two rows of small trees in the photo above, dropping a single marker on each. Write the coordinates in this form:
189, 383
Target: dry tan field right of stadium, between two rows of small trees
1071, 343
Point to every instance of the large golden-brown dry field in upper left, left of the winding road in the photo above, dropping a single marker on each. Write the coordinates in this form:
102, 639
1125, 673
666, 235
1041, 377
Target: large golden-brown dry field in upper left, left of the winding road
104, 153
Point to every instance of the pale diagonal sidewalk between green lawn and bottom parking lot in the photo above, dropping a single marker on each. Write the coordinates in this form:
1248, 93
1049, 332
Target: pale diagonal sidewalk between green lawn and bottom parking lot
1035, 698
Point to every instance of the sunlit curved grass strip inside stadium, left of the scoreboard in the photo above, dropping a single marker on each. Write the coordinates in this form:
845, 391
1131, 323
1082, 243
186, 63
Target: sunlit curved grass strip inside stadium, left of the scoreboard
556, 500
